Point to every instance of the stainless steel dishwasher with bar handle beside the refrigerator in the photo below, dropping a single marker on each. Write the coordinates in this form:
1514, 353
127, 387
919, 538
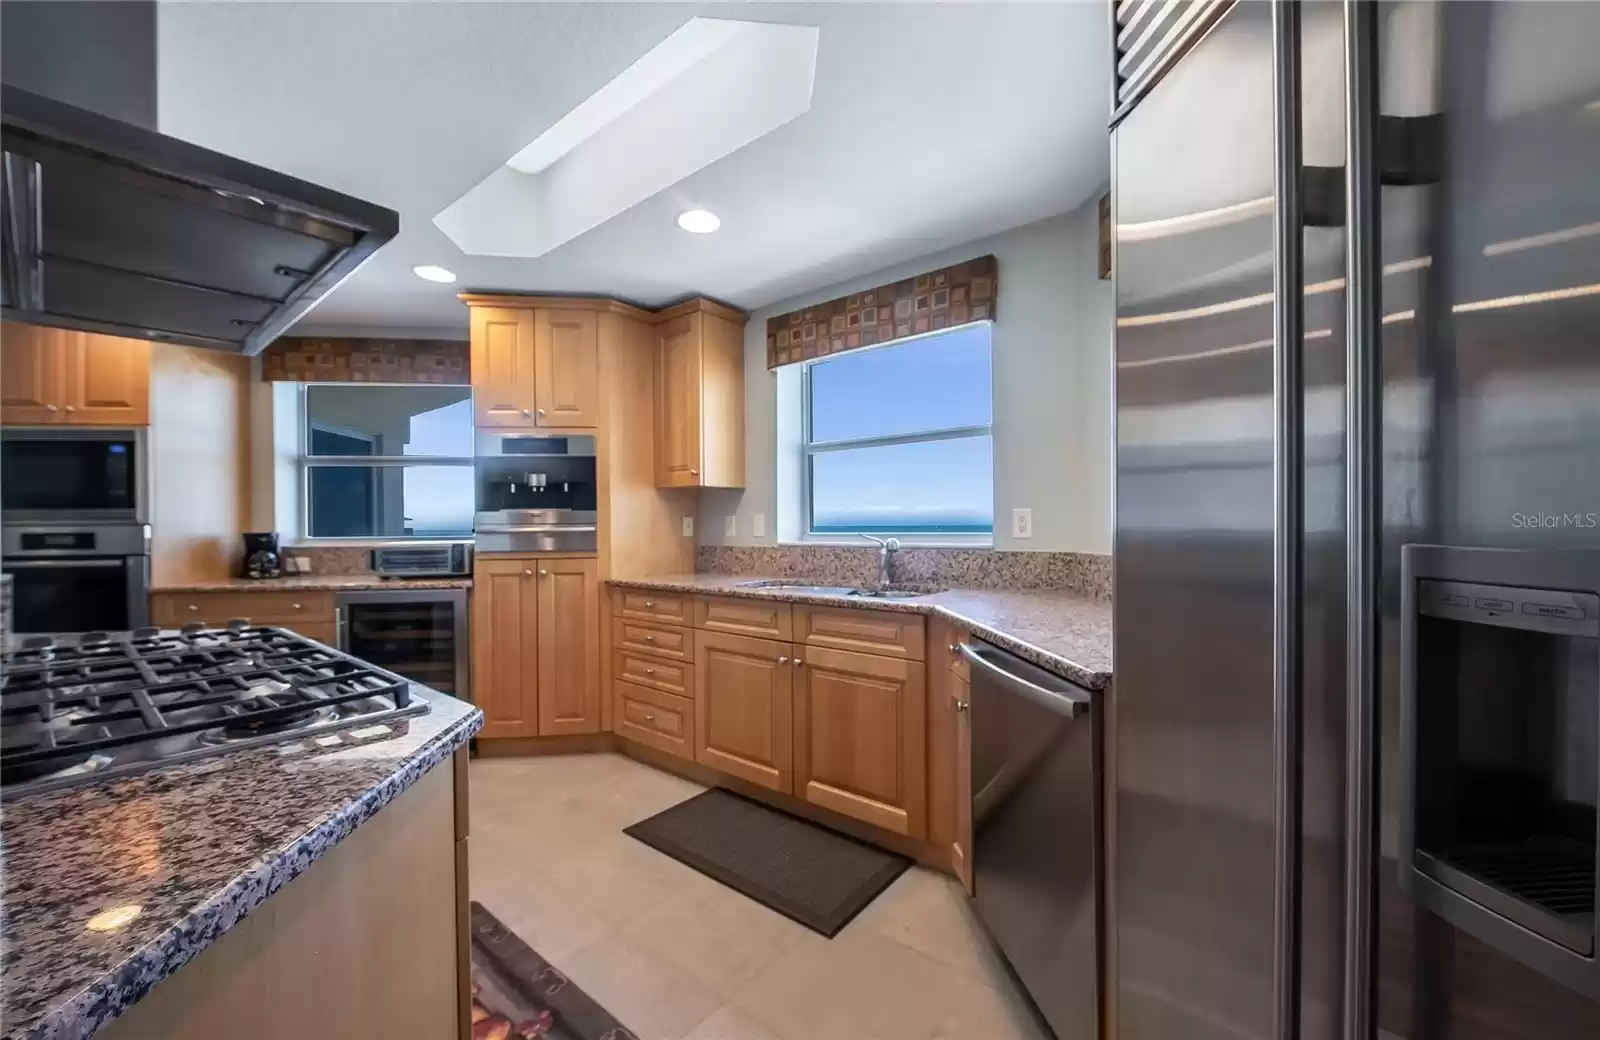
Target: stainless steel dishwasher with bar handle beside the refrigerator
1036, 774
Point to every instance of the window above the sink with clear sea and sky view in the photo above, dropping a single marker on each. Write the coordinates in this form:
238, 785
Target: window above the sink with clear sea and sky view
898, 439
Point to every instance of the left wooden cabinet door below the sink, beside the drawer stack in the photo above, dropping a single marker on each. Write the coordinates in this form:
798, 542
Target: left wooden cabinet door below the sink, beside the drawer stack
745, 708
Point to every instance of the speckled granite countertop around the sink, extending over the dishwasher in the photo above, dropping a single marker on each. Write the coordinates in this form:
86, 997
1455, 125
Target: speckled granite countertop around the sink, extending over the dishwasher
1062, 631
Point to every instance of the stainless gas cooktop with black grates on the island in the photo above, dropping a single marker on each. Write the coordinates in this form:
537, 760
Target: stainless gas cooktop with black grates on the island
79, 710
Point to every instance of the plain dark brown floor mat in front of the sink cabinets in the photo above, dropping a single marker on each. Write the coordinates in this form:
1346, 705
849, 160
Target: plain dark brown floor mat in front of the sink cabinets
806, 873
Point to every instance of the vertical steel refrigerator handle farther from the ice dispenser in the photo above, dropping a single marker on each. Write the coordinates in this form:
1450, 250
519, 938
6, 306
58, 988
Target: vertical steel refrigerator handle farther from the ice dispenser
1289, 465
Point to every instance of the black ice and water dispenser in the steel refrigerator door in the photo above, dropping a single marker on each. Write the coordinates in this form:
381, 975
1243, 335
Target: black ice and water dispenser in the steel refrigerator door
1502, 748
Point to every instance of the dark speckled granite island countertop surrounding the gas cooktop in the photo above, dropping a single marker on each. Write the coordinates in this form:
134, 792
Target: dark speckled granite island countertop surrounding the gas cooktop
196, 847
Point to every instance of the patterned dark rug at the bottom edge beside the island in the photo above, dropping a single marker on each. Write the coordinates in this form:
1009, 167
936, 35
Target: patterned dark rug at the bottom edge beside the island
519, 996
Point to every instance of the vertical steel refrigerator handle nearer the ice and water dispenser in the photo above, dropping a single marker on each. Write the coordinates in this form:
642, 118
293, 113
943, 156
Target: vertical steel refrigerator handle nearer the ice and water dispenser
1364, 457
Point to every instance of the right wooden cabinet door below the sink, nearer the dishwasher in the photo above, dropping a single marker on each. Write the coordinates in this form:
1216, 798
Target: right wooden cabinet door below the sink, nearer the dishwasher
860, 738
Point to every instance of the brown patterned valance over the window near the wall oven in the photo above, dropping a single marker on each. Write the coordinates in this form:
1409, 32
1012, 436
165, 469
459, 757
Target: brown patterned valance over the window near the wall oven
297, 359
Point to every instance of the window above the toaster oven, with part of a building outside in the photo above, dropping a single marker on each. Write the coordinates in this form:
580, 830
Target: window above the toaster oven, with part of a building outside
388, 462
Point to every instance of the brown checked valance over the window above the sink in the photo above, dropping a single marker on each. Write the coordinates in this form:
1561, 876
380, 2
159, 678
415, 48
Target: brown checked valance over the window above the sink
937, 300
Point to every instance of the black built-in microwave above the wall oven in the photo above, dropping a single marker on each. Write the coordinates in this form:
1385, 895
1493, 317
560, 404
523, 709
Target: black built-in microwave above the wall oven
73, 476
